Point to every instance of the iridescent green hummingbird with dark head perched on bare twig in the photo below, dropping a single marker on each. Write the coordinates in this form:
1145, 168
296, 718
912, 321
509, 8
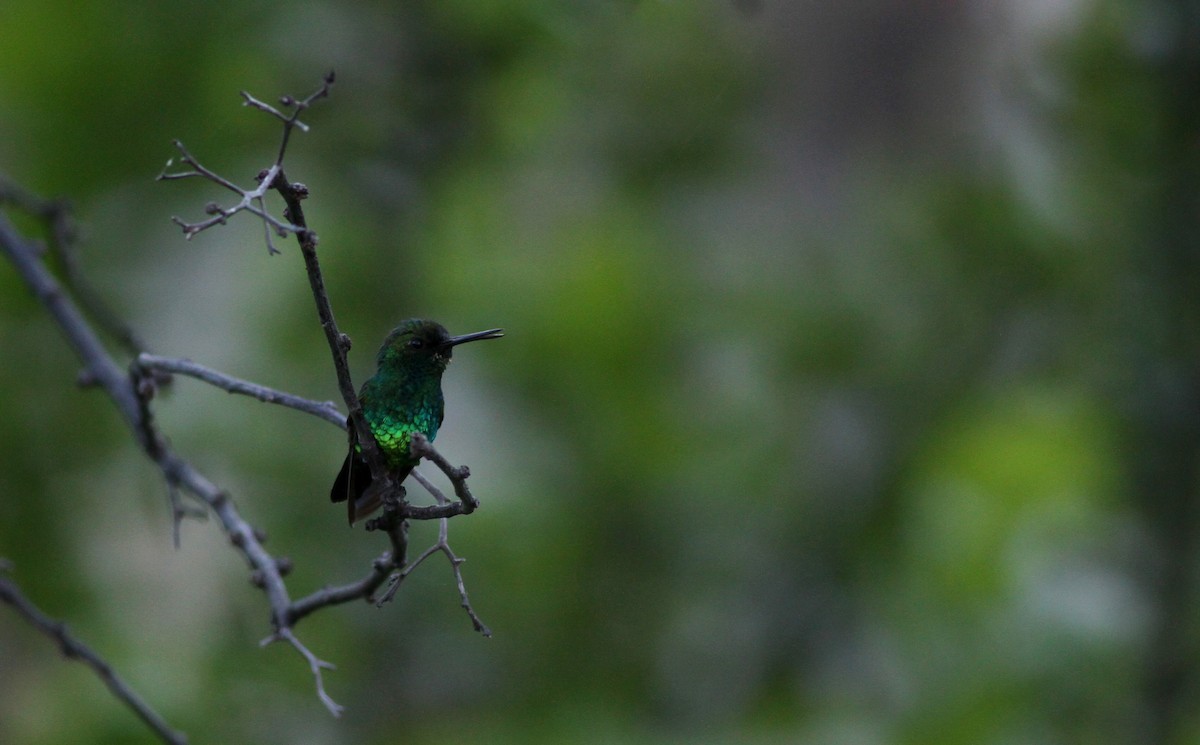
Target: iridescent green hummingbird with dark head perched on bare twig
404, 396
